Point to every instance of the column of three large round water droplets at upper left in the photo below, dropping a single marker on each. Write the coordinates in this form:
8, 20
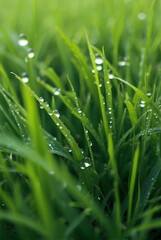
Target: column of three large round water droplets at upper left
23, 42
